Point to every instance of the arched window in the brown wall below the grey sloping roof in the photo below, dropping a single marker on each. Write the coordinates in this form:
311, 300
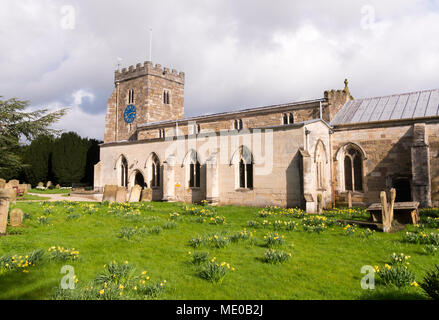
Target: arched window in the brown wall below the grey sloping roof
353, 170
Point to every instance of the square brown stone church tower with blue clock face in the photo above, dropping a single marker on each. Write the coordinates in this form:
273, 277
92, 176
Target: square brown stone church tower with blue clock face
142, 94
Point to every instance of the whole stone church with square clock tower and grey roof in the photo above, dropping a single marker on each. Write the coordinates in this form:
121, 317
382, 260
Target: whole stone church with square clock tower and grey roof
301, 154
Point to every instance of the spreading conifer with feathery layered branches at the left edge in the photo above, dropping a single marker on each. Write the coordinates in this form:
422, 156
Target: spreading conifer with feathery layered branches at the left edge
16, 123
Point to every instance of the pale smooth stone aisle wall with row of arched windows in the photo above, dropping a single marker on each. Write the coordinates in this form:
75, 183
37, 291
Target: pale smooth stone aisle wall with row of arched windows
277, 171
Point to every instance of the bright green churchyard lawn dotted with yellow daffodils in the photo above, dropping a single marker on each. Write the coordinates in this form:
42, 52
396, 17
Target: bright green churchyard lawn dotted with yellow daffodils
324, 265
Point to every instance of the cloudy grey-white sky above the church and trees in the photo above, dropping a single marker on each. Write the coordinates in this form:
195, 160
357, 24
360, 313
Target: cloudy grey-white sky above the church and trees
235, 53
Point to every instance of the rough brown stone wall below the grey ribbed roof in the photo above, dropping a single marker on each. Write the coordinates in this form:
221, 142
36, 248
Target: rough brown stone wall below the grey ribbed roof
388, 149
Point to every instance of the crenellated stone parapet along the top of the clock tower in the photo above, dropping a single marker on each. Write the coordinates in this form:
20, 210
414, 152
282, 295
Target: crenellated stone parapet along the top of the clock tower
148, 69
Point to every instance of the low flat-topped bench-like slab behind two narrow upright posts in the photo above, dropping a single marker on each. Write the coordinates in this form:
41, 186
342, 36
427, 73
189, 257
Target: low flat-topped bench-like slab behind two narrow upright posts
404, 212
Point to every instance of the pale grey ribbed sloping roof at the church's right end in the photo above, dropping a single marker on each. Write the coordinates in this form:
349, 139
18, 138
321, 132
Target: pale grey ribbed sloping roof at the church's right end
412, 105
